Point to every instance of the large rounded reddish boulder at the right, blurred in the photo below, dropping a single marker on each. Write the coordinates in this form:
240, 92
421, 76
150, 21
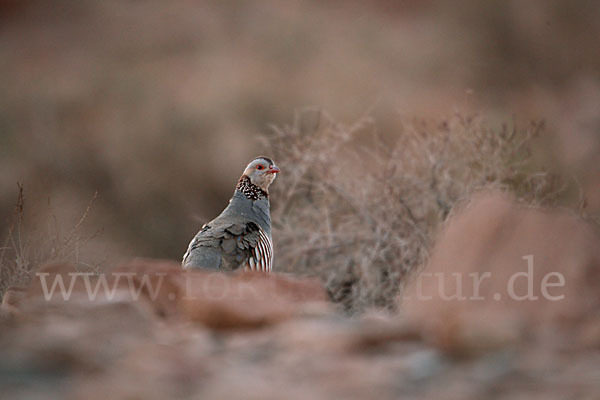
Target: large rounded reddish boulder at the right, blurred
513, 250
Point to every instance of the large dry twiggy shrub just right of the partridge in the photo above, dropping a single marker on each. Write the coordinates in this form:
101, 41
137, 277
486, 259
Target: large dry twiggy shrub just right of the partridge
360, 209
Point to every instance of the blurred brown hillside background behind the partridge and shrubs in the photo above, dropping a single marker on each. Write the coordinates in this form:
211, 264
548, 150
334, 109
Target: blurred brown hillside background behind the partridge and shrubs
157, 106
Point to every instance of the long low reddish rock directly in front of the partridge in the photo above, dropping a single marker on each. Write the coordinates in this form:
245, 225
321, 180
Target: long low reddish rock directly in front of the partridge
215, 299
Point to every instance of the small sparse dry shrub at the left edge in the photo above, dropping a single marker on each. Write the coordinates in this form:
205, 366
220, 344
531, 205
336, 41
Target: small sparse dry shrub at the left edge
24, 250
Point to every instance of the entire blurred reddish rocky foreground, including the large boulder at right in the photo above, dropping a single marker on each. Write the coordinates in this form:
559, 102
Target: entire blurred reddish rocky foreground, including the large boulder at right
155, 331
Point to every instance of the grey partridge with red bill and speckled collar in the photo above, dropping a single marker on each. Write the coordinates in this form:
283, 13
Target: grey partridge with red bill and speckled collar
240, 237
